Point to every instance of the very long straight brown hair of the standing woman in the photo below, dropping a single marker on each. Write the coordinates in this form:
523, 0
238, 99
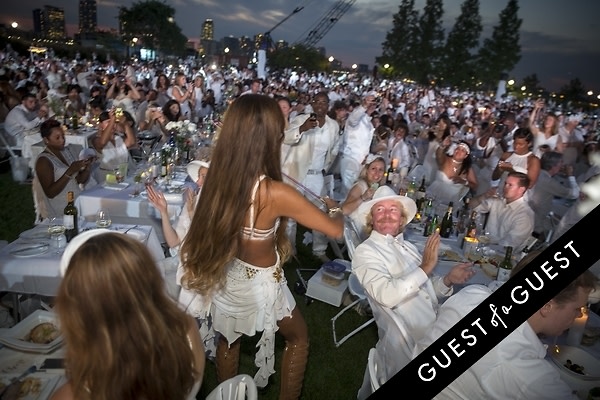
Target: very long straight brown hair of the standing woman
249, 146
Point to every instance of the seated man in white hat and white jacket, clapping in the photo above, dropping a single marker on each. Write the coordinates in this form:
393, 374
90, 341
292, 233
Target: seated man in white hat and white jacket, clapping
398, 280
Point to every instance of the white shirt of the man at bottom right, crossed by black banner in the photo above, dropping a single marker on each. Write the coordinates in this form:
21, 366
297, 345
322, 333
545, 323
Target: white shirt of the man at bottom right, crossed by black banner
514, 369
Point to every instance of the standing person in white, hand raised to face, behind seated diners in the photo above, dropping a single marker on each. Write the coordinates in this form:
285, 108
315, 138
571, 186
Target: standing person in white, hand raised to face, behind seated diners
358, 134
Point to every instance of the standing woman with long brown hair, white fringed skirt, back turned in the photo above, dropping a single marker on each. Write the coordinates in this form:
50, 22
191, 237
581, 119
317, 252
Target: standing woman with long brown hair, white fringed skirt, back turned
233, 253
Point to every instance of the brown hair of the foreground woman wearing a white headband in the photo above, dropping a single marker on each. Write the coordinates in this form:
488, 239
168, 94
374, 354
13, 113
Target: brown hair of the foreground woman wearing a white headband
125, 338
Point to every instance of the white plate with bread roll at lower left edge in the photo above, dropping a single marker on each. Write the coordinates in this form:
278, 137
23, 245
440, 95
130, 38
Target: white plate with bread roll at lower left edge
15, 336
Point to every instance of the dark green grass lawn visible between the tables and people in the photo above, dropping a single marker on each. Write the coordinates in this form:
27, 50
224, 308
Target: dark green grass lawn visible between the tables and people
332, 373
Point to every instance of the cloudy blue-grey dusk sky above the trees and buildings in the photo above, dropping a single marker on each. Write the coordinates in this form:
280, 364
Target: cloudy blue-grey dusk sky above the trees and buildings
560, 40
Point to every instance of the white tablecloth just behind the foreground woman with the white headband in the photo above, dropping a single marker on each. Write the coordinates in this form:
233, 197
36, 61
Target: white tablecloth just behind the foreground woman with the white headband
40, 274
